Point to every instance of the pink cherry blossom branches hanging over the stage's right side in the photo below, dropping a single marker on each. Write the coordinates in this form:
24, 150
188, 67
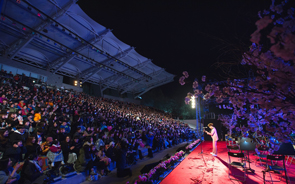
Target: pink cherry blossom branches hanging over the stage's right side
266, 101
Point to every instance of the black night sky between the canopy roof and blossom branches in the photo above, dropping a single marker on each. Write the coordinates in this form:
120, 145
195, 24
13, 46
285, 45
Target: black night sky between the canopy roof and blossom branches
182, 35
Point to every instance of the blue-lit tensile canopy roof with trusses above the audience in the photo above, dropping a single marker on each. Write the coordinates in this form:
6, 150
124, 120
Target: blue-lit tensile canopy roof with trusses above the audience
57, 36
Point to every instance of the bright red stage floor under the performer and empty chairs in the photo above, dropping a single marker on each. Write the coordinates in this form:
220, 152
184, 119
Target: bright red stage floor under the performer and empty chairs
205, 169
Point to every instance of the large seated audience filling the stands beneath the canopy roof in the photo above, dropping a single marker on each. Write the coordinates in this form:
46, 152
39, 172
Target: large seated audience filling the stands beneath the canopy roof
41, 124
